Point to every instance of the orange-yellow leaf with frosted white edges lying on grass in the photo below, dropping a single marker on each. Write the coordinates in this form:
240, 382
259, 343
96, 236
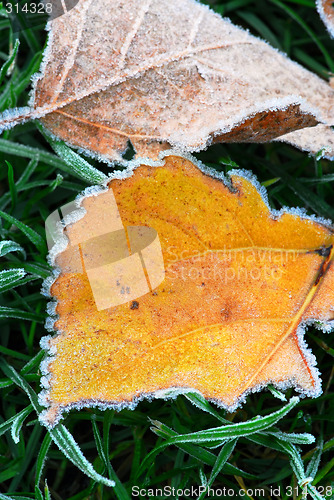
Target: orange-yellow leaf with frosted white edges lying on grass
241, 284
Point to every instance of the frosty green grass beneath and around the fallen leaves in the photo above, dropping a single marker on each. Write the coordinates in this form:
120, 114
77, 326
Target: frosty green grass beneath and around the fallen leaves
180, 443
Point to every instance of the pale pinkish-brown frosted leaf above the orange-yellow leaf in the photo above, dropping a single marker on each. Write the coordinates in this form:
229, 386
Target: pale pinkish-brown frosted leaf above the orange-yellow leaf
175, 73
